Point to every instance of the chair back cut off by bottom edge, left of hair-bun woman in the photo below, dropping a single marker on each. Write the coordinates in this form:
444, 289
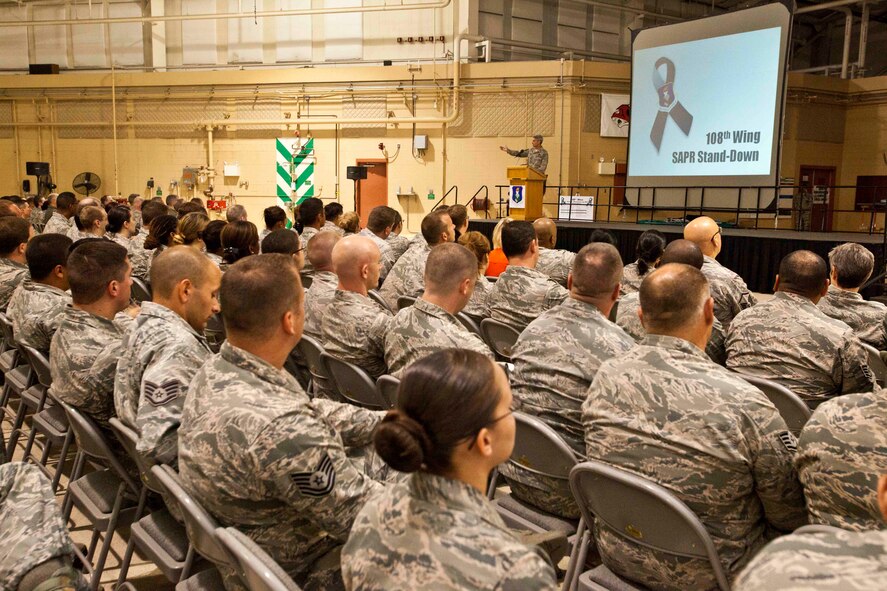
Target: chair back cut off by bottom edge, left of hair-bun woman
257, 570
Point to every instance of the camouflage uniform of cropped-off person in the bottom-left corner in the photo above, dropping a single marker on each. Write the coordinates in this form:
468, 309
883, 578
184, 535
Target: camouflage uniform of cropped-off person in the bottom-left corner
32, 532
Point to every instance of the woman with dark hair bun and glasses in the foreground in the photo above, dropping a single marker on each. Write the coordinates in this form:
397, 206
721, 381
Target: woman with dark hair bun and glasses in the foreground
452, 426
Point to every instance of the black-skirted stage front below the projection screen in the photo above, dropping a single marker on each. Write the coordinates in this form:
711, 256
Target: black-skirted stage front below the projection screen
754, 254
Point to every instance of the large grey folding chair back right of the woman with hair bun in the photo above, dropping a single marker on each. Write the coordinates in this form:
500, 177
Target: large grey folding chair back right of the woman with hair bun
644, 513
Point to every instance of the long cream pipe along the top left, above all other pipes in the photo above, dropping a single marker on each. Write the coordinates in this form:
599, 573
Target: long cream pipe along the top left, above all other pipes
228, 15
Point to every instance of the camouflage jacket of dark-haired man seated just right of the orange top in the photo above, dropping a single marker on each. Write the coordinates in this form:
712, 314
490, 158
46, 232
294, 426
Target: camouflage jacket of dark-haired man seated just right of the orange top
522, 294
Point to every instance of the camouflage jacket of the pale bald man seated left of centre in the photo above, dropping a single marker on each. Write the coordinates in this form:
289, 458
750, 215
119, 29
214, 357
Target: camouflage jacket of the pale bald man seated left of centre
353, 330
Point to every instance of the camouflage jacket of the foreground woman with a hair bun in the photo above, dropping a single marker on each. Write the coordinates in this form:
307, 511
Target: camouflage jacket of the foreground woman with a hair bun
436, 533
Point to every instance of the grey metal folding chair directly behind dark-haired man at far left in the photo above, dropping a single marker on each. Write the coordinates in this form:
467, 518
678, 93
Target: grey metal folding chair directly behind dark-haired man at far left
102, 496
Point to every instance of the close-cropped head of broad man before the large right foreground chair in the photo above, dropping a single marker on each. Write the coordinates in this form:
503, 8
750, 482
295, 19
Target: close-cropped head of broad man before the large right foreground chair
672, 298
